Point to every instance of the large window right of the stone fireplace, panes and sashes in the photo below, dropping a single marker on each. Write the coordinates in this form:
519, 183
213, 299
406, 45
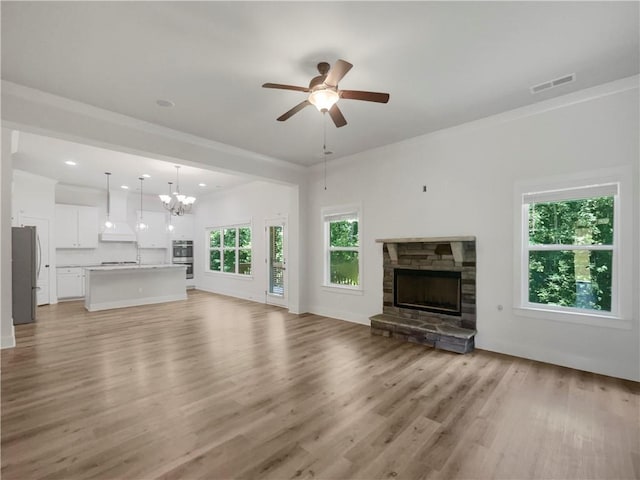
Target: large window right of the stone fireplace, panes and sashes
569, 249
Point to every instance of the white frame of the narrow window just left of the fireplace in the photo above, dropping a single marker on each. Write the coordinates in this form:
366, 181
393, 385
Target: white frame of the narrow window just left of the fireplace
331, 214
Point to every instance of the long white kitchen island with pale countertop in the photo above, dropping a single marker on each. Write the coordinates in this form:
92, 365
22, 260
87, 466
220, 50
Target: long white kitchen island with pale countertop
117, 286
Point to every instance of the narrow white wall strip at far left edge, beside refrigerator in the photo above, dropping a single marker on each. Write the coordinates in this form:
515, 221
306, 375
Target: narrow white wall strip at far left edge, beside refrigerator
7, 337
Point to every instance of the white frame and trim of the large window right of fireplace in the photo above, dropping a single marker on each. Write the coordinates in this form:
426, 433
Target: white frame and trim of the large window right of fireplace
622, 278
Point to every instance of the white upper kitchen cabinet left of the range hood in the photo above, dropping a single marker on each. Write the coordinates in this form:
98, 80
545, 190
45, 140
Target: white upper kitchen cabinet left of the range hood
76, 226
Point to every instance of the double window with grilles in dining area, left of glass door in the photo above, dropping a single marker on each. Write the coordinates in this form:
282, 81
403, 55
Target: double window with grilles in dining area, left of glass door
230, 249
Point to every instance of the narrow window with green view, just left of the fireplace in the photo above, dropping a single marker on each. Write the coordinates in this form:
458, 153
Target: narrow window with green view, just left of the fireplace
342, 249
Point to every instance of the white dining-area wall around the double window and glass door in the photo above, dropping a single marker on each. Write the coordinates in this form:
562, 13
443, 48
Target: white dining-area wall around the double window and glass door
252, 203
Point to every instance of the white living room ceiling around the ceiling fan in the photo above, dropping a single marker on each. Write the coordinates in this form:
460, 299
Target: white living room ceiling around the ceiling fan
444, 63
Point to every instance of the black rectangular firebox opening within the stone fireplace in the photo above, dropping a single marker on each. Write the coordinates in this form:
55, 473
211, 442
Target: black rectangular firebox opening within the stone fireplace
428, 290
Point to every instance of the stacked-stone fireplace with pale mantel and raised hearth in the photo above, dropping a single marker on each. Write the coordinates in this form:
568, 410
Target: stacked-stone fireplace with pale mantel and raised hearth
429, 292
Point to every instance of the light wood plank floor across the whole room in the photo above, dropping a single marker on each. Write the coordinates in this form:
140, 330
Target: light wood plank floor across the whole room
216, 387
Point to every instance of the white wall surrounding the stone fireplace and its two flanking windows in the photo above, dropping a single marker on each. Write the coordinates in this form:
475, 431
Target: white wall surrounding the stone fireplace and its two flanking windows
470, 172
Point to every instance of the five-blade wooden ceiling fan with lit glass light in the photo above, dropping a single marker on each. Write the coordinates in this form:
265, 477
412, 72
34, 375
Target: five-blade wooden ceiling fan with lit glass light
324, 92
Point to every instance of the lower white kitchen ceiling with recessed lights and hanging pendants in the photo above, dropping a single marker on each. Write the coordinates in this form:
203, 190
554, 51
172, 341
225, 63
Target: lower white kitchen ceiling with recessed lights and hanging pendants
47, 156
